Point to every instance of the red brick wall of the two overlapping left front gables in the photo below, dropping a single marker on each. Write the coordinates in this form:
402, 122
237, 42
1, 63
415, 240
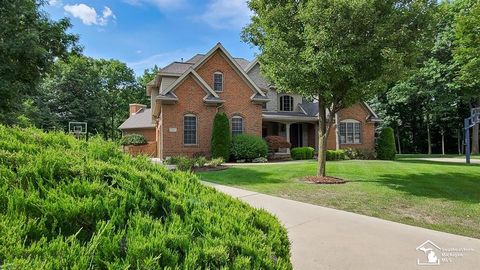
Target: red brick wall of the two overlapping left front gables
236, 94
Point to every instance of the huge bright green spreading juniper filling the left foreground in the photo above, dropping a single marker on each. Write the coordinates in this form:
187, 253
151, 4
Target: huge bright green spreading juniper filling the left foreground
69, 204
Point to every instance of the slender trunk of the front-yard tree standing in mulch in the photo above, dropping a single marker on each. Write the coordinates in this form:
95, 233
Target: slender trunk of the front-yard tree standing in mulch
322, 138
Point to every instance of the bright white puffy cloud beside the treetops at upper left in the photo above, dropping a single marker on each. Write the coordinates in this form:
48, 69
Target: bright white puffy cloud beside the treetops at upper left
89, 15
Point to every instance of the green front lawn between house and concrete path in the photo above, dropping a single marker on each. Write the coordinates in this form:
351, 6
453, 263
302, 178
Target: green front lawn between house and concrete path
440, 196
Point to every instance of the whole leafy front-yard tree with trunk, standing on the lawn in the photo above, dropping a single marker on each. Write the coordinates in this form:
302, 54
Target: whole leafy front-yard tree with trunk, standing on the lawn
338, 52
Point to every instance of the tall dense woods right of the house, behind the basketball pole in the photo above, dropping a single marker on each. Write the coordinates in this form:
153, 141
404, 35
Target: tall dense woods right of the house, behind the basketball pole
427, 108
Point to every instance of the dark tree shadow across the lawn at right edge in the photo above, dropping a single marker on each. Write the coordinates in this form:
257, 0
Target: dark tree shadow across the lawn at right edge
456, 186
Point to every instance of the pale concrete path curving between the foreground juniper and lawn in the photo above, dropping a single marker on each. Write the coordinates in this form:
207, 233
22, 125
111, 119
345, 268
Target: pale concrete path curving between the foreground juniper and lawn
324, 238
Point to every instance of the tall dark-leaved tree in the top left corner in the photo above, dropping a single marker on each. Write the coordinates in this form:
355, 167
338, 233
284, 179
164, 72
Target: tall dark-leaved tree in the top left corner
30, 42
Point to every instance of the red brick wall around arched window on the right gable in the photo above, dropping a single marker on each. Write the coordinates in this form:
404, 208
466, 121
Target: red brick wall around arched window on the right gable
357, 112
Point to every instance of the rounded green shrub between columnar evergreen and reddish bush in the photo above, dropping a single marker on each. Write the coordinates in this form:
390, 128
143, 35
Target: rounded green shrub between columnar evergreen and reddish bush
248, 147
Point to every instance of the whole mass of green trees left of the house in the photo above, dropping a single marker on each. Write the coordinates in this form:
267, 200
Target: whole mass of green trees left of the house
45, 80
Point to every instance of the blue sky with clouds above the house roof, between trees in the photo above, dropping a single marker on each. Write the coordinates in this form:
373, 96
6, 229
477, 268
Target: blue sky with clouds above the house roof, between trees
143, 33
